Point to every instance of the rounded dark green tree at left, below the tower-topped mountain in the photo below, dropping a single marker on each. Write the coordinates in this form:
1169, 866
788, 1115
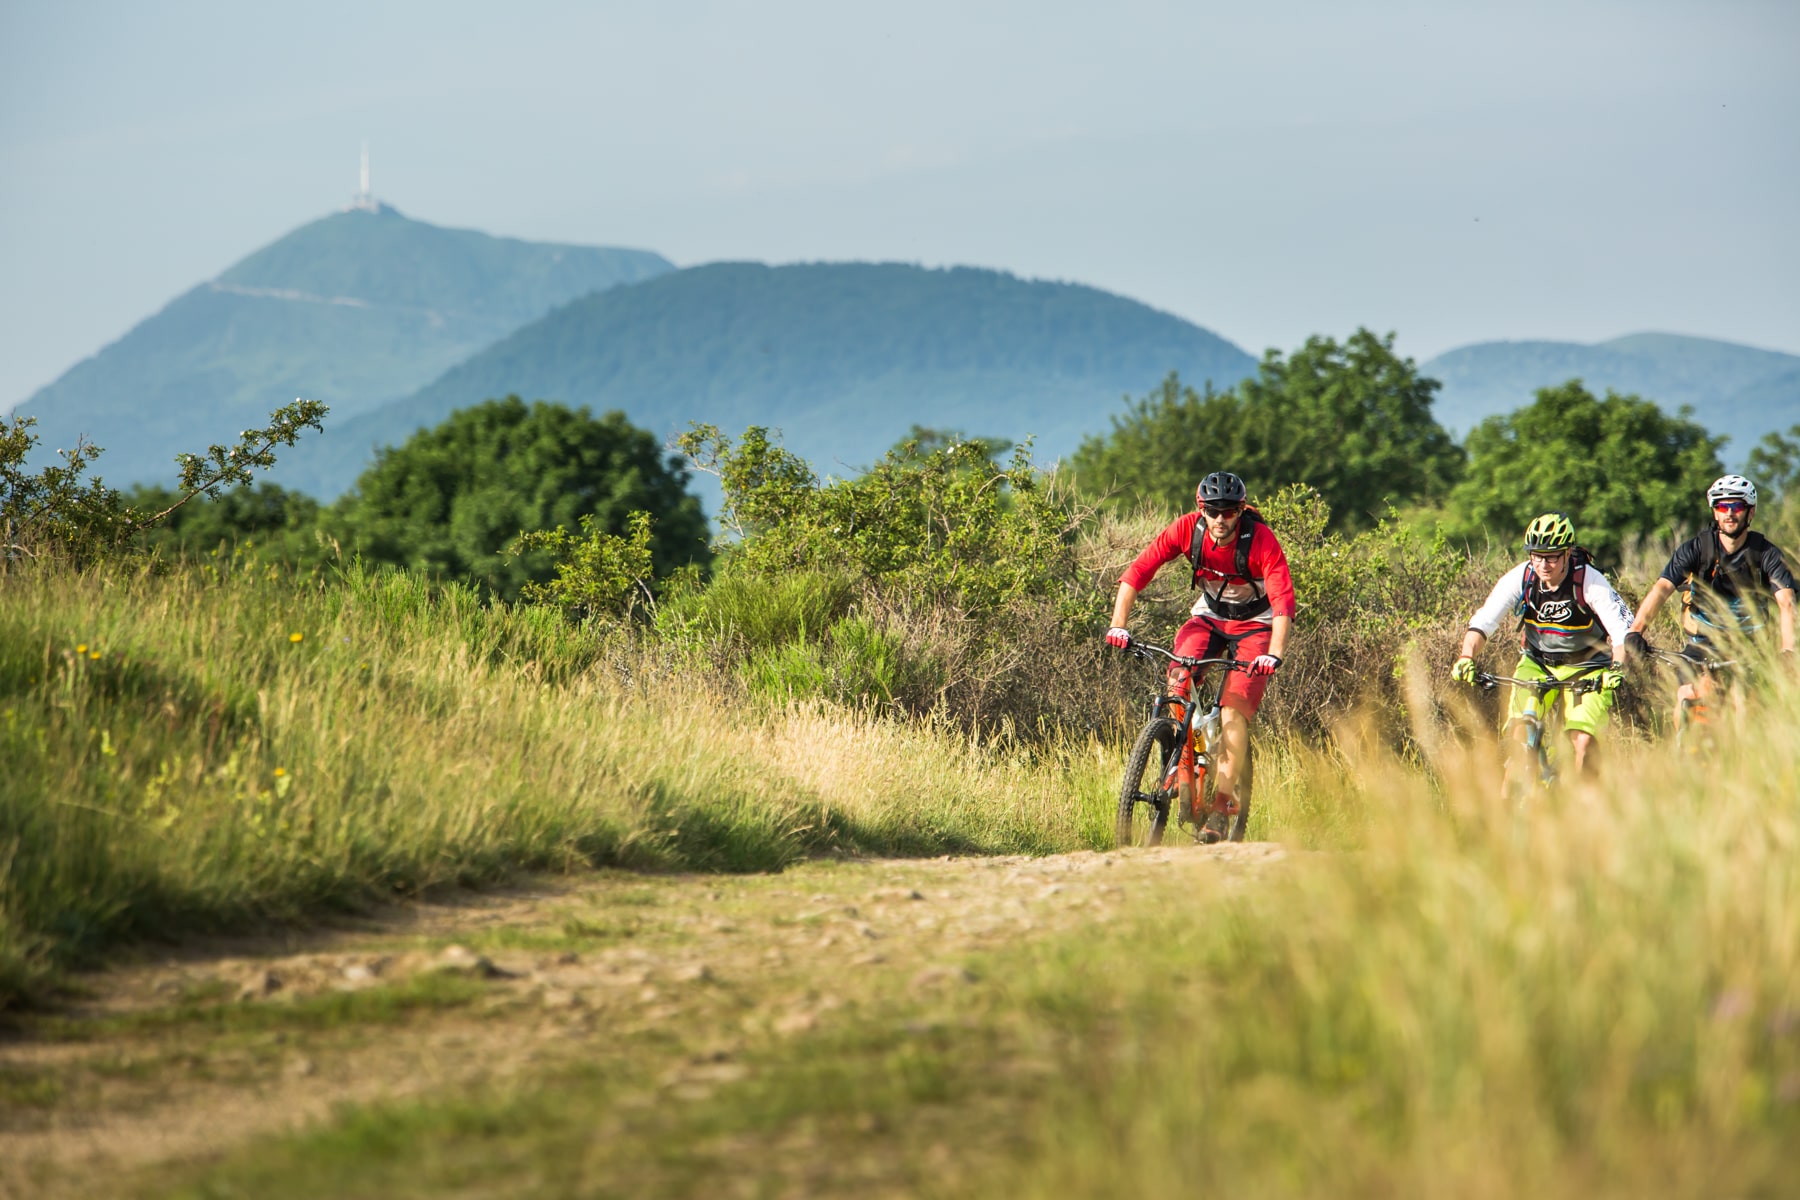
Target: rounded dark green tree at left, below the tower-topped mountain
454, 497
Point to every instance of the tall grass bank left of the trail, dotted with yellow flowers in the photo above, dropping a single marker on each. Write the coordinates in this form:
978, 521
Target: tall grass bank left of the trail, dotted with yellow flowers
202, 751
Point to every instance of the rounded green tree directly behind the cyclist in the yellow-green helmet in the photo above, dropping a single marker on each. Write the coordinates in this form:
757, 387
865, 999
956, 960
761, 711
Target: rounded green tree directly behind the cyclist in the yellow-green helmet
1619, 467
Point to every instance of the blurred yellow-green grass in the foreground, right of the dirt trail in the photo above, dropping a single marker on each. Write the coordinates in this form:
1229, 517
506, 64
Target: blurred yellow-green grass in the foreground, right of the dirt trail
1597, 996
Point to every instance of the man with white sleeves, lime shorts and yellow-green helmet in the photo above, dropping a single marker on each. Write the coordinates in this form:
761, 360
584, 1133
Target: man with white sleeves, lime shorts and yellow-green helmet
1570, 618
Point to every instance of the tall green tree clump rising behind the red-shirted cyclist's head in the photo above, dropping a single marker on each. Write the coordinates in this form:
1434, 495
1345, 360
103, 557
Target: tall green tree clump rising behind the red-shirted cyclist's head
1349, 420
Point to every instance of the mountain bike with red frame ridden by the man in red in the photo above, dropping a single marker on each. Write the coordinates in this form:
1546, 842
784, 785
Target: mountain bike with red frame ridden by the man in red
1178, 748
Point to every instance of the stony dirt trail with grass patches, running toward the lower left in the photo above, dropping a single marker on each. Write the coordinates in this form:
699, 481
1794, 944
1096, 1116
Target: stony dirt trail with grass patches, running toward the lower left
663, 976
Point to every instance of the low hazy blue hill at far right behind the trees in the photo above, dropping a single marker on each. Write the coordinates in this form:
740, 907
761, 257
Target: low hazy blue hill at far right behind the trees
1734, 390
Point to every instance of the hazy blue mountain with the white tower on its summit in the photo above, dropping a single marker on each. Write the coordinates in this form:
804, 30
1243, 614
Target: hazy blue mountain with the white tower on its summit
357, 310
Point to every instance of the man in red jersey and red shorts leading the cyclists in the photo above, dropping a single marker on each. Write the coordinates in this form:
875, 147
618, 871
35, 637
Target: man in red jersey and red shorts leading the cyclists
1245, 609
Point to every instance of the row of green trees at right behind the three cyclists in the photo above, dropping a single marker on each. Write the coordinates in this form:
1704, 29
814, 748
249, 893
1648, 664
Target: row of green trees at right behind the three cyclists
1354, 422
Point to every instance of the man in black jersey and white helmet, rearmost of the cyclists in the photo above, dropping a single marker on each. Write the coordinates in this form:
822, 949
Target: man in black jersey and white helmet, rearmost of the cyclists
1727, 578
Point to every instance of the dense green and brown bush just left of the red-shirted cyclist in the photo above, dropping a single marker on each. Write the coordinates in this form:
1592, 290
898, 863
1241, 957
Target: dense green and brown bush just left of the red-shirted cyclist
940, 580
